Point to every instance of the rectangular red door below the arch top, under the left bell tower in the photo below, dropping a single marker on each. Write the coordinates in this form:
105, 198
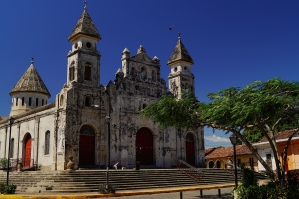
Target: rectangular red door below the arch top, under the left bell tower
87, 150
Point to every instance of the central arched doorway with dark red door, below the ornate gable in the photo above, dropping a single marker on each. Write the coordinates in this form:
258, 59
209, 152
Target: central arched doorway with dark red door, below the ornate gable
144, 146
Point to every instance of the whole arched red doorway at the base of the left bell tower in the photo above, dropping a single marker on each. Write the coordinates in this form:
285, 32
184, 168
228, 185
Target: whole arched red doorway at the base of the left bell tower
87, 146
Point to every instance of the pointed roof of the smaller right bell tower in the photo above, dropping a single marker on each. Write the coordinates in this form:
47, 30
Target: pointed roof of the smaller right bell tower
180, 53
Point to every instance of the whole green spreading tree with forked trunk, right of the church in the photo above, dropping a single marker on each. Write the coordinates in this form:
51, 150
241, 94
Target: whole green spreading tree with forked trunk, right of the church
270, 107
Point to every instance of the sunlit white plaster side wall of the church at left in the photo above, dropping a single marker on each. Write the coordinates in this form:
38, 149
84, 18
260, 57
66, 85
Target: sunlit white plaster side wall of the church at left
36, 125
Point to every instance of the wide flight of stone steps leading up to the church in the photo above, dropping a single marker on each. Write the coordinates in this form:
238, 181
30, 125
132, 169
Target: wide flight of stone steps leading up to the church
89, 180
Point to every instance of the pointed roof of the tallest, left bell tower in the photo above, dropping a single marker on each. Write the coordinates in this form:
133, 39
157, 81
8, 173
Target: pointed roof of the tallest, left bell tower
85, 26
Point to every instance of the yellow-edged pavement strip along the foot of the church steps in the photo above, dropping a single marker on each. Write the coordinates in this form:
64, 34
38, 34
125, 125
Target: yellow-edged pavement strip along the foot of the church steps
121, 193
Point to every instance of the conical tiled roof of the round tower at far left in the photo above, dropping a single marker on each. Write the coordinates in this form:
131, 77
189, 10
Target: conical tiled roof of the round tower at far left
30, 82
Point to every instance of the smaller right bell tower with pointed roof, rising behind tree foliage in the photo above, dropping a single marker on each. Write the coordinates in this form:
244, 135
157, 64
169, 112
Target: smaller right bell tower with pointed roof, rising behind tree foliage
180, 76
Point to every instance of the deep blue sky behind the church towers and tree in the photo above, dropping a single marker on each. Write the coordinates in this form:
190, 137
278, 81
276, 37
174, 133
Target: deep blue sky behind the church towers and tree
231, 42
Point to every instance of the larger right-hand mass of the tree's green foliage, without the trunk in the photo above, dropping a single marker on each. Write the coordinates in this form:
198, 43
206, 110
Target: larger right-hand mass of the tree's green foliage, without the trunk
256, 103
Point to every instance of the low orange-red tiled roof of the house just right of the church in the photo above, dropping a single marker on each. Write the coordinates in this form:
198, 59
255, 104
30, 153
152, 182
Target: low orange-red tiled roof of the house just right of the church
229, 151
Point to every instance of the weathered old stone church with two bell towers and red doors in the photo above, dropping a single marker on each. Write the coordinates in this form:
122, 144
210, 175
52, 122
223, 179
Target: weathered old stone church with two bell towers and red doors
90, 123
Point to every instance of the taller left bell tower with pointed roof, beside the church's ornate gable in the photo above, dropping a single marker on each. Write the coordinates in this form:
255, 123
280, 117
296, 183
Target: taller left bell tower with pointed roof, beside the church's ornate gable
84, 59
